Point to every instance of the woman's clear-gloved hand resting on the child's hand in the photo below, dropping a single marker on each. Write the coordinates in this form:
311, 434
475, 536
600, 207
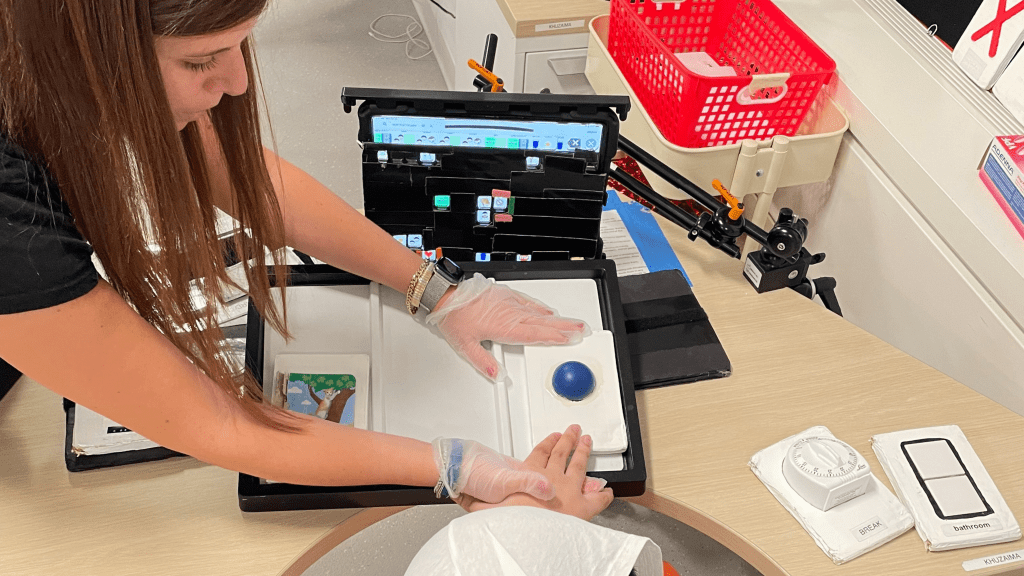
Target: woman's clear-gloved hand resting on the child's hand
471, 469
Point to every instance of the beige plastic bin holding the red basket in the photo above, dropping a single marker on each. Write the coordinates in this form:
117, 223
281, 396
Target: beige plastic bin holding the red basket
745, 169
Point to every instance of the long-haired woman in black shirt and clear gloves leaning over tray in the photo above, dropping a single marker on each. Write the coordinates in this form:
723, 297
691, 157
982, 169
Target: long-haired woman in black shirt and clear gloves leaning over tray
123, 125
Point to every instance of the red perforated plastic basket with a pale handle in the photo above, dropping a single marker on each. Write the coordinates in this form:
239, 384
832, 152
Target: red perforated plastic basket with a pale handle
779, 70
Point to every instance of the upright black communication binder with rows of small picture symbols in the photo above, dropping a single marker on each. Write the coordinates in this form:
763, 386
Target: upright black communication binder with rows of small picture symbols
493, 177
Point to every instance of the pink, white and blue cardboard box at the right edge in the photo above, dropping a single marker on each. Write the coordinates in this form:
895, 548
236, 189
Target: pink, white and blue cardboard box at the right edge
1003, 173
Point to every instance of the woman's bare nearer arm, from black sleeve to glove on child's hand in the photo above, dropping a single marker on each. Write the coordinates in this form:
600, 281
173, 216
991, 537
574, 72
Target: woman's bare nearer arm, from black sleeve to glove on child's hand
100, 353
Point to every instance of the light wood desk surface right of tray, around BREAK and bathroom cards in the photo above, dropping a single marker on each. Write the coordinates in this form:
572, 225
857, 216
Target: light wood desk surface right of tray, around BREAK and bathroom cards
795, 366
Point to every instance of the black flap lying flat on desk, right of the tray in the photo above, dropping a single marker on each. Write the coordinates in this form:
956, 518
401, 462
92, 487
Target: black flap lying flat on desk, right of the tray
670, 338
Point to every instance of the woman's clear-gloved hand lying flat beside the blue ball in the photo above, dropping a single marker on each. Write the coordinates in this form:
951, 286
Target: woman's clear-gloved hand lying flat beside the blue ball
481, 310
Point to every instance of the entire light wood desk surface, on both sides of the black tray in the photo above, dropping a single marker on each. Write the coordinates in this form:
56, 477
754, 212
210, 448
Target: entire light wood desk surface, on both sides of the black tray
795, 365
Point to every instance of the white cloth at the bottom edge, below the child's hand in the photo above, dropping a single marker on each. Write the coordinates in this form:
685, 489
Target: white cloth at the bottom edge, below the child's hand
529, 542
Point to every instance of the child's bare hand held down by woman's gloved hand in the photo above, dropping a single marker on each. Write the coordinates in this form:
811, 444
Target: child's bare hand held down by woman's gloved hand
575, 493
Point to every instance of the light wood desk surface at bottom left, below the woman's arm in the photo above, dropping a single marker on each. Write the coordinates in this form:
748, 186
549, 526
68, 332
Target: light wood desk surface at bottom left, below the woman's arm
169, 518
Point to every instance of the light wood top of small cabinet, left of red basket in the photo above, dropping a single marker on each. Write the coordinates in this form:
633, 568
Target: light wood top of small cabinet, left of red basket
525, 16
